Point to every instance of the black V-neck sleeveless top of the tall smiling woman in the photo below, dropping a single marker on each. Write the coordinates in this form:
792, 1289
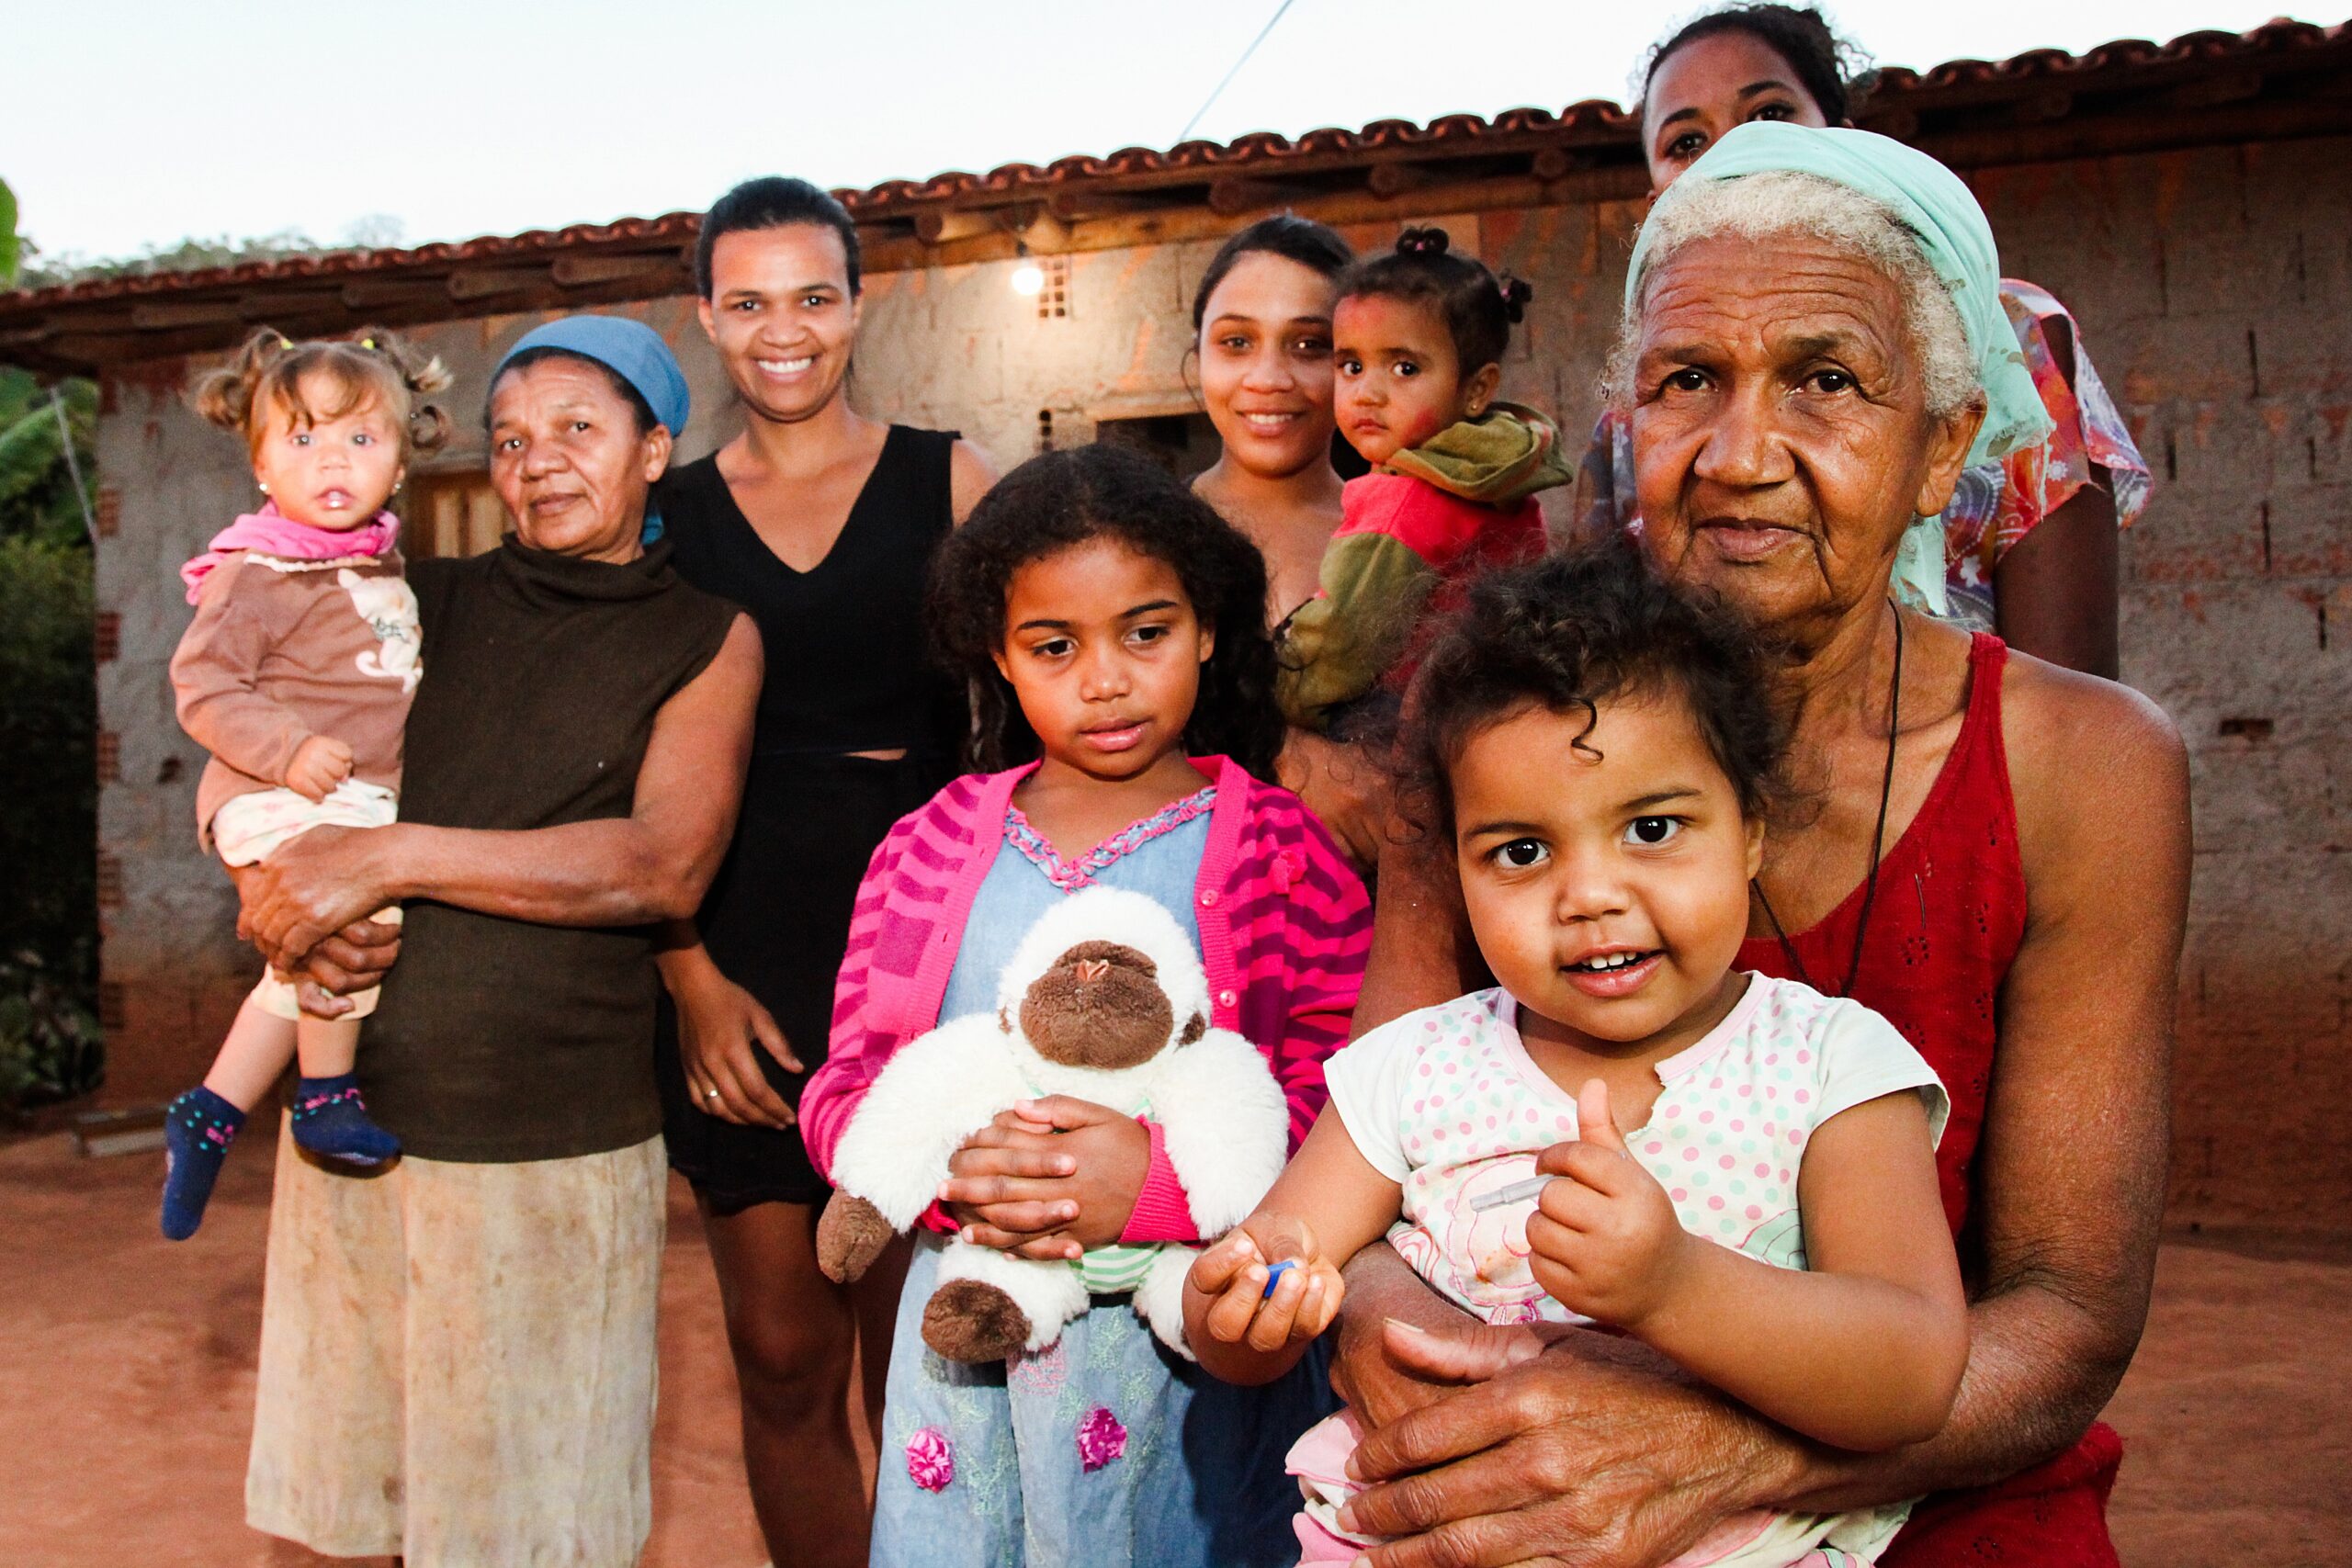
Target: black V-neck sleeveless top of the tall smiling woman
848, 659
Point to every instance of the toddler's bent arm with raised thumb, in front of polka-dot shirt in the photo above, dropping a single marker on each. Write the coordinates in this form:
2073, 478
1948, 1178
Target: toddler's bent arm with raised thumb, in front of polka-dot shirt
1864, 1351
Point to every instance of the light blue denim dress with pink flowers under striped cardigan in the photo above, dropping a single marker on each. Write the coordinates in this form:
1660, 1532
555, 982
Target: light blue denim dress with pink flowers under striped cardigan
1107, 1449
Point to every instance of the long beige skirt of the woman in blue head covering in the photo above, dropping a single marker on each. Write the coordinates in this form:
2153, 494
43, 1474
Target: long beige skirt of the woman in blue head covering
457, 1362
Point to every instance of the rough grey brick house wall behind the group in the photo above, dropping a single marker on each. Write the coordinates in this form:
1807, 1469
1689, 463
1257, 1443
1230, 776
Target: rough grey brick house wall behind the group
2214, 293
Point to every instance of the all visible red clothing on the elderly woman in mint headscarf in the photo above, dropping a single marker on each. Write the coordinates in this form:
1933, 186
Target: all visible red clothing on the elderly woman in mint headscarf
1944, 932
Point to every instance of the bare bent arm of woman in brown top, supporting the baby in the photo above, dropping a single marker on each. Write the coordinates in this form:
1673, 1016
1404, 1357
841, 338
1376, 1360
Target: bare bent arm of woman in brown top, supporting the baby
648, 866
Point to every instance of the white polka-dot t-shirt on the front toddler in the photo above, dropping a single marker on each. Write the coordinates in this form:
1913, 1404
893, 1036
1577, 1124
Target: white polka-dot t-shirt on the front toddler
1450, 1104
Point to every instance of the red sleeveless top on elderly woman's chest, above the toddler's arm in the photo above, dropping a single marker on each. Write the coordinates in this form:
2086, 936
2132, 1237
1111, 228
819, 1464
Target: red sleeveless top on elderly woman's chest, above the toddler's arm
1944, 930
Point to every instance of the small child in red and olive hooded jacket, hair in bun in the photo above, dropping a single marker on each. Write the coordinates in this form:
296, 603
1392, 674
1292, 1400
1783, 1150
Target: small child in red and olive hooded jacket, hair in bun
1419, 342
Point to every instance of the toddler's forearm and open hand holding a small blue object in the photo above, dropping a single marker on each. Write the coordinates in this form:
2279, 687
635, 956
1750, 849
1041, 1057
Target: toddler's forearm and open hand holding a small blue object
1323, 1212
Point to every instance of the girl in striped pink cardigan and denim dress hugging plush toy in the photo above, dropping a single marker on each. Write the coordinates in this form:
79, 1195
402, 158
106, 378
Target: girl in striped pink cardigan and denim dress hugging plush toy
1111, 629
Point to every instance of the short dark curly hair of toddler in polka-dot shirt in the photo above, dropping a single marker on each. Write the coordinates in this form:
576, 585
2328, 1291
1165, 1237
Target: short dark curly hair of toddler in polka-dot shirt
1570, 634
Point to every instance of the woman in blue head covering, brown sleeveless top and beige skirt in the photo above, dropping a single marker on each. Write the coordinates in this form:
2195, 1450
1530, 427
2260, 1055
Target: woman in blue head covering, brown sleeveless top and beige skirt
457, 1358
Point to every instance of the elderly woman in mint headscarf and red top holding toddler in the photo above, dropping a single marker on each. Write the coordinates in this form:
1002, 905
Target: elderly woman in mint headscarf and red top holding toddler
1996, 859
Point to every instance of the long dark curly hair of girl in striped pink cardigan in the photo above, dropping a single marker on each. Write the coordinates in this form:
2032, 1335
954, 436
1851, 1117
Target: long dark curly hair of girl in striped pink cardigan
1064, 500
